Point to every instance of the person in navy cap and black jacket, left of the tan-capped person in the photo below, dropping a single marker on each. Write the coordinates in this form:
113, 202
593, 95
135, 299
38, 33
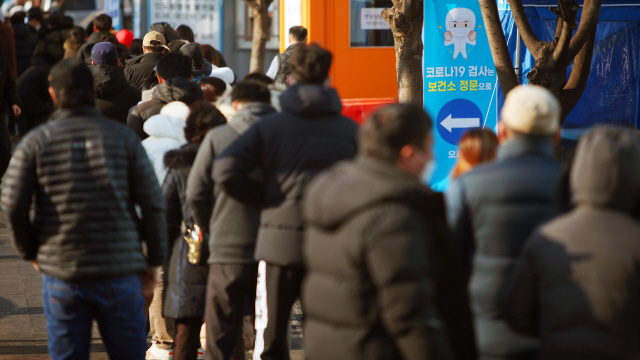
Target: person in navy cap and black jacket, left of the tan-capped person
113, 95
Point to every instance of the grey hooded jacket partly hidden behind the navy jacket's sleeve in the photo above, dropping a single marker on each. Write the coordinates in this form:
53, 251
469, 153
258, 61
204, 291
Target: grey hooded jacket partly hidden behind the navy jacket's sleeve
232, 226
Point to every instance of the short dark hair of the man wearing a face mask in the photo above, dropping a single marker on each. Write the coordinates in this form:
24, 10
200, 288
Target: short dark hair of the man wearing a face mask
389, 129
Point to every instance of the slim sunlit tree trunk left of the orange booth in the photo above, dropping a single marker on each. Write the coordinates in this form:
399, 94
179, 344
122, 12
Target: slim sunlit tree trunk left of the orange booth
261, 30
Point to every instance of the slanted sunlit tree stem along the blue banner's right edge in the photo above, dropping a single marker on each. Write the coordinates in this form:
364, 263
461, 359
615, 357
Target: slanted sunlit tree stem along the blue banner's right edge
498, 44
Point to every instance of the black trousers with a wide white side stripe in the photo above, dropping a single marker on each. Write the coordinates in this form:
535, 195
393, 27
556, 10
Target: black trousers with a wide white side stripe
278, 288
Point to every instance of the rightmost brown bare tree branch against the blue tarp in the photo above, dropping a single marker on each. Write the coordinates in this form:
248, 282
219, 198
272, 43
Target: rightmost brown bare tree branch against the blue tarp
579, 76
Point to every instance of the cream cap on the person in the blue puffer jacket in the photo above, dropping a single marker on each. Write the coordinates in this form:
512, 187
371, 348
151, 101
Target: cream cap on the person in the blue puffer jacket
531, 110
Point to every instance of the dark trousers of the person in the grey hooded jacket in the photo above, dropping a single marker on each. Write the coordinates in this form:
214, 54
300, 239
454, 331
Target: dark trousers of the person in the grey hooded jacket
228, 288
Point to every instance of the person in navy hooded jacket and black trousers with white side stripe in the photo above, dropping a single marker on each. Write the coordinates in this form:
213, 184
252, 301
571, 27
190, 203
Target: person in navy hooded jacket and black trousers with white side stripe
290, 148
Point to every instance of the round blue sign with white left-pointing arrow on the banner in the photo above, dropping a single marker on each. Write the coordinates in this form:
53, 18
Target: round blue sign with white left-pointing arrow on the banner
457, 117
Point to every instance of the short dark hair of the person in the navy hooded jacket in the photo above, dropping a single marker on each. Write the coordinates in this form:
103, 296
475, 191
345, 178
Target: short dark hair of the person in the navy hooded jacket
310, 64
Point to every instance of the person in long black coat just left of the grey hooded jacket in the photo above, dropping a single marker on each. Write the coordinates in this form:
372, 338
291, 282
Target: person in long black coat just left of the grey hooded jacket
186, 283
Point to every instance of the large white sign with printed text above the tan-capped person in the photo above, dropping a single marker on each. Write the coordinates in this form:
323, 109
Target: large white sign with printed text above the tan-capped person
202, 16
